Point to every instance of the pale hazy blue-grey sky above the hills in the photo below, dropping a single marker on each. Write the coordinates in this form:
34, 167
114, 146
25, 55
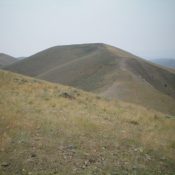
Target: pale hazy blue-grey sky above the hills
143, 27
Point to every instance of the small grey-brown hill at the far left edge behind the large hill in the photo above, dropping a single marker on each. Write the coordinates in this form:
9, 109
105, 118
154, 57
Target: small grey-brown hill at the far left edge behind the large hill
6, 59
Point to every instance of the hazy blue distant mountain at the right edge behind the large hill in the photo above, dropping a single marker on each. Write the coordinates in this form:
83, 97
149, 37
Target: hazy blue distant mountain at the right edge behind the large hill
168, 62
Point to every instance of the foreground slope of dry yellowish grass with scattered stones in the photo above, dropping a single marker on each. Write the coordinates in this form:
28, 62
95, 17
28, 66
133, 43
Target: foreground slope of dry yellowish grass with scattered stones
54, 129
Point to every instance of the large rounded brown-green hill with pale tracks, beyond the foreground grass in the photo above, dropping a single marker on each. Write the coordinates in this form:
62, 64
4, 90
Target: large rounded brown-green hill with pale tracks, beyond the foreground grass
105, 70
